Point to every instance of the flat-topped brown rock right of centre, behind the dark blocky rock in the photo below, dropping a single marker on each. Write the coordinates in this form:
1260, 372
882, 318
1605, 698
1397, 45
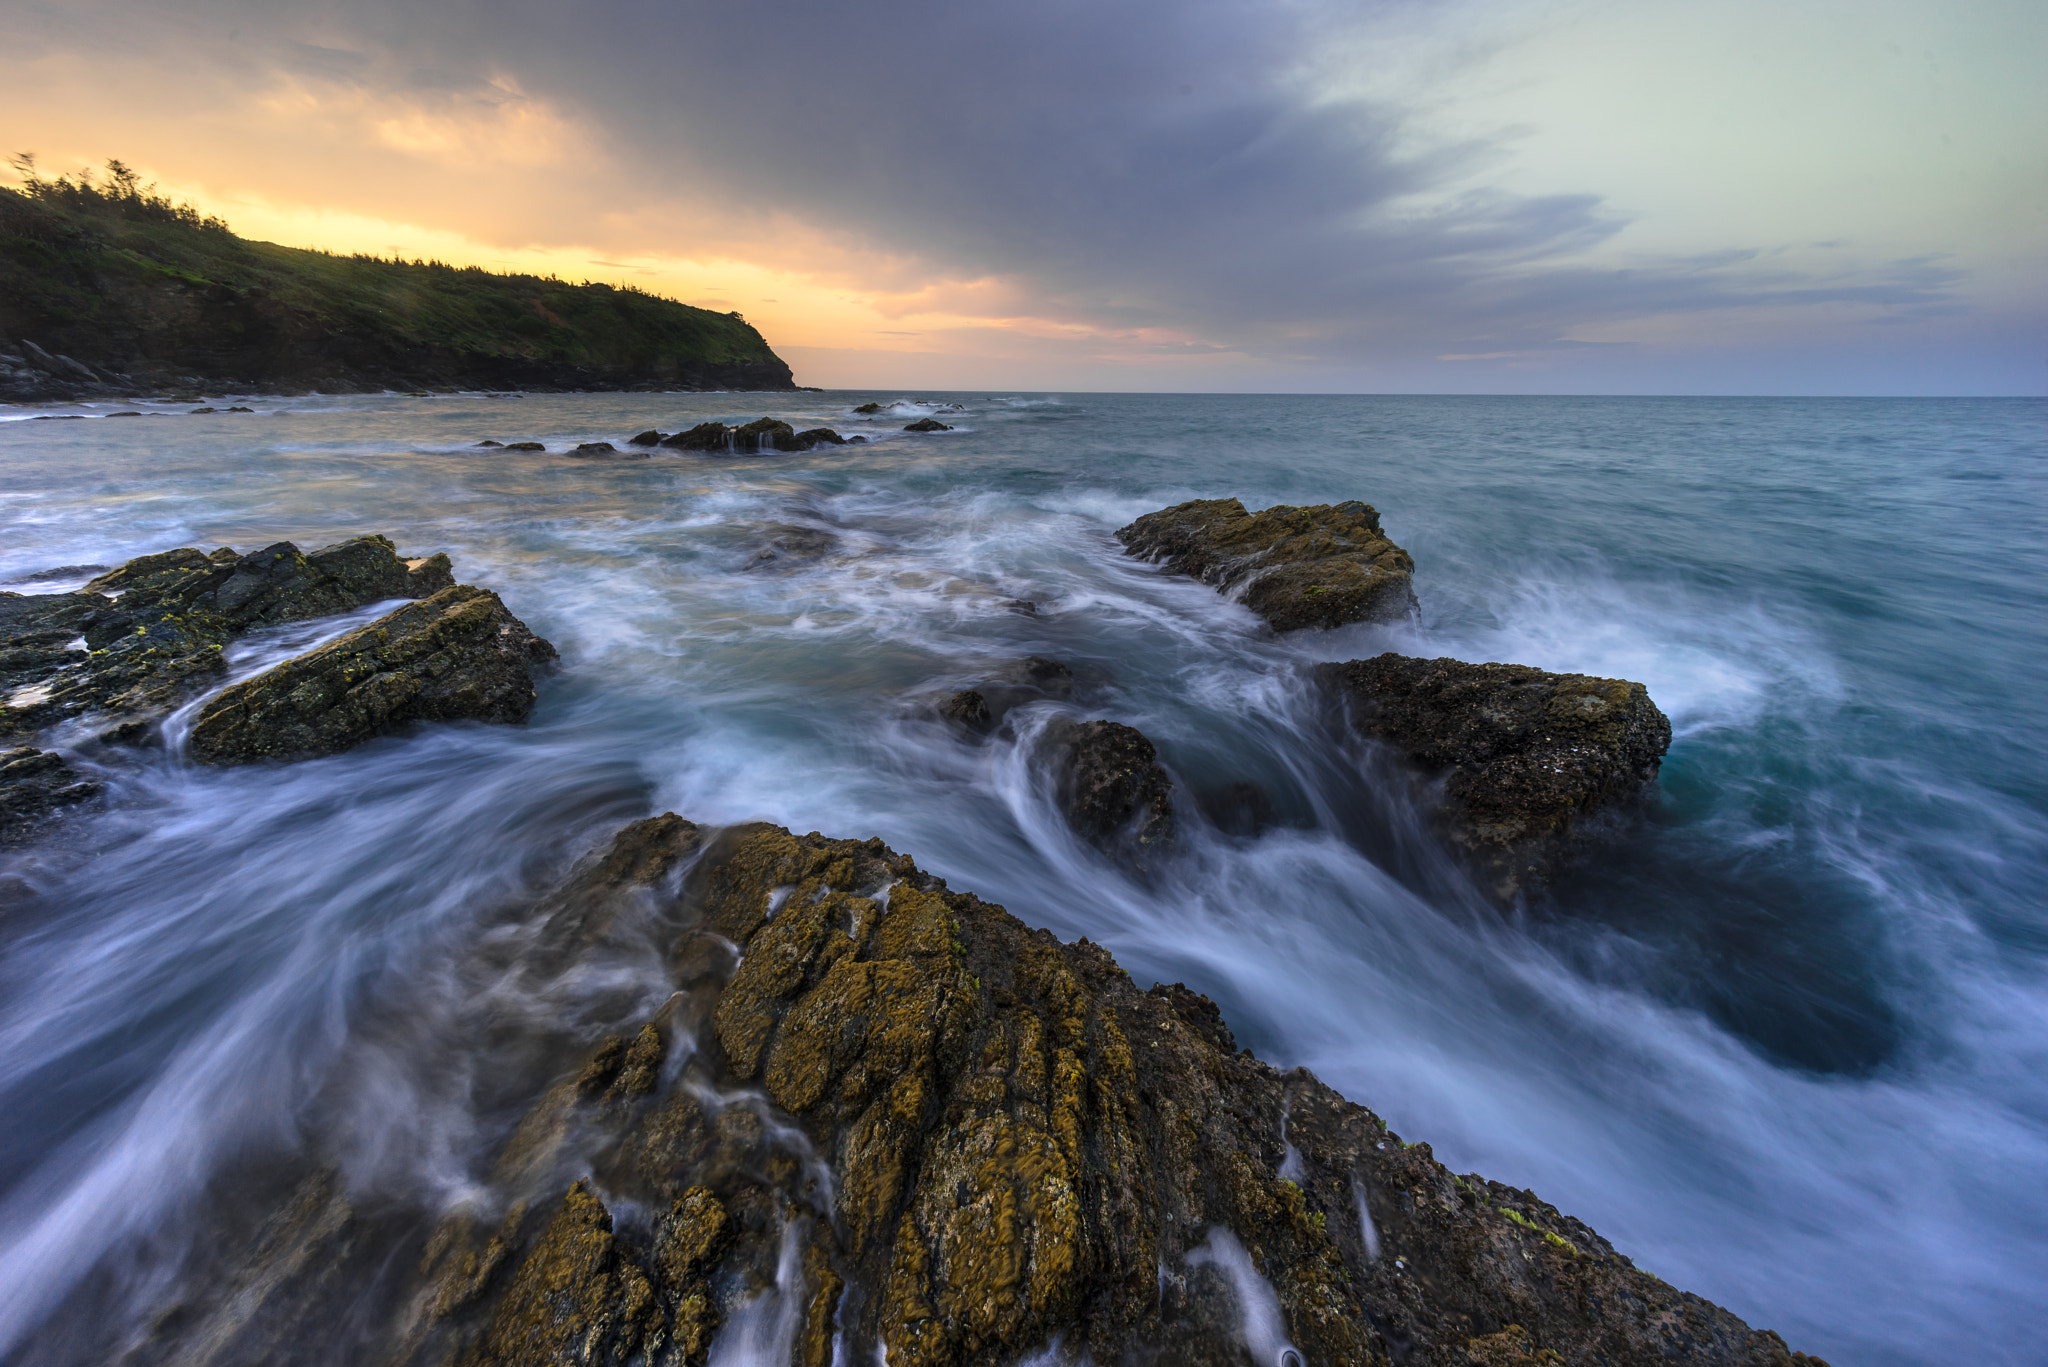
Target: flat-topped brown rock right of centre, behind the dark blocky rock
1320, 567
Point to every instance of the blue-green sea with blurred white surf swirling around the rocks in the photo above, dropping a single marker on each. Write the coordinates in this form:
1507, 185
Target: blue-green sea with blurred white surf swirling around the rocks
1785, 1042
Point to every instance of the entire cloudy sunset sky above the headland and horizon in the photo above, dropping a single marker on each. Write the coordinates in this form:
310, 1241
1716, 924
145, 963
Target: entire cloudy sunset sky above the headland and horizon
1168, 196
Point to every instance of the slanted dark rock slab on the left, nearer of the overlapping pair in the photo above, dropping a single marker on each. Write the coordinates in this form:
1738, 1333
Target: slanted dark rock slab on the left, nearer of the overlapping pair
454, 657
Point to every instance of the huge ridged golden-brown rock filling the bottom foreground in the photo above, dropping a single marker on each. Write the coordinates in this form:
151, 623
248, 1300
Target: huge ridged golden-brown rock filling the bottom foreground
888, 1122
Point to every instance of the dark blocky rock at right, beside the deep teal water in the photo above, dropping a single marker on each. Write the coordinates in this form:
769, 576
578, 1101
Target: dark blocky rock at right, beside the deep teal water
1527, 757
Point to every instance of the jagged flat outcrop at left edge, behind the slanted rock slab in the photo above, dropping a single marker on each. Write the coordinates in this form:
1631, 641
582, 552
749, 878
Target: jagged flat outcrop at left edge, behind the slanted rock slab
142, 651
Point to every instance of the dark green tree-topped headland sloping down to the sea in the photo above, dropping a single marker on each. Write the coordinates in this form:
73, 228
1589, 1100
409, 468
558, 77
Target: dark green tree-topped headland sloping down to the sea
140, 306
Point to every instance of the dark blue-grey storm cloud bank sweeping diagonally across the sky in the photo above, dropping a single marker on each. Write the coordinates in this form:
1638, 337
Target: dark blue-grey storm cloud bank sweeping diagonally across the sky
1125, 163
